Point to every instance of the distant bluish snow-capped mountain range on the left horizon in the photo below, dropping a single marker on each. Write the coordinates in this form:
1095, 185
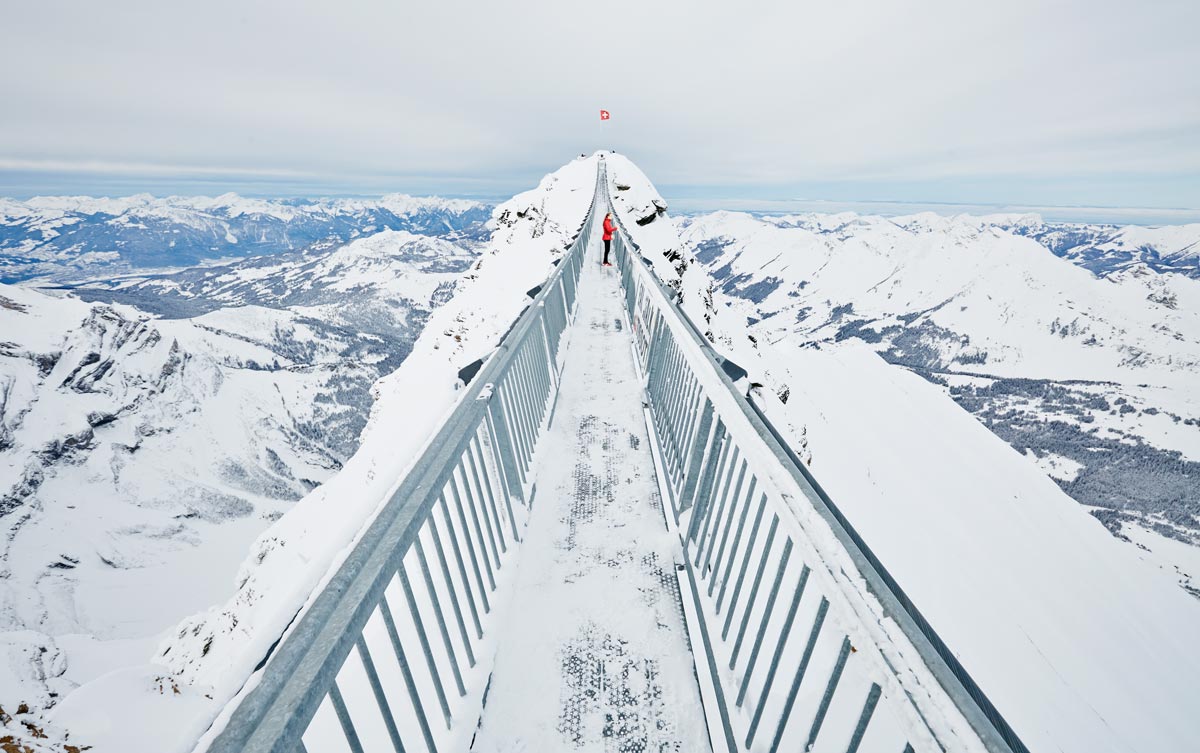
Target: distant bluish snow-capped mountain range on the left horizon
71, 238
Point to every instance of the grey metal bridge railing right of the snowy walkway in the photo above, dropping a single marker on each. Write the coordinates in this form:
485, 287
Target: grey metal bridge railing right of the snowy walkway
809, 643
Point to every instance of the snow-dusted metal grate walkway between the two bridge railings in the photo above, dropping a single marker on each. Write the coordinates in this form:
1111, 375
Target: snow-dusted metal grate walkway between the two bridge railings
595, 654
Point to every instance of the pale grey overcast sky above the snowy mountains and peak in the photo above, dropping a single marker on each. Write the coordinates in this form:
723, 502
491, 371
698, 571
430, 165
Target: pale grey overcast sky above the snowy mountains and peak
1070, 103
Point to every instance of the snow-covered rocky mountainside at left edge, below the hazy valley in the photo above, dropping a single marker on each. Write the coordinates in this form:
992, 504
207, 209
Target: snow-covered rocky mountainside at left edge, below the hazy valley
139, 457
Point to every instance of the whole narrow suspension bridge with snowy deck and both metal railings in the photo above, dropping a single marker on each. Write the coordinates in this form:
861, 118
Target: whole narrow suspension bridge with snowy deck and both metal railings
608, 547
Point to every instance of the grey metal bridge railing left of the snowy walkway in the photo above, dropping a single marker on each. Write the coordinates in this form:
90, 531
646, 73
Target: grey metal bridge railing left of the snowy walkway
395, 652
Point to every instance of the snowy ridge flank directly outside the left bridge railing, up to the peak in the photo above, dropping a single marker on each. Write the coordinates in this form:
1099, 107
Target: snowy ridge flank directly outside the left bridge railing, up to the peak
209, 658
